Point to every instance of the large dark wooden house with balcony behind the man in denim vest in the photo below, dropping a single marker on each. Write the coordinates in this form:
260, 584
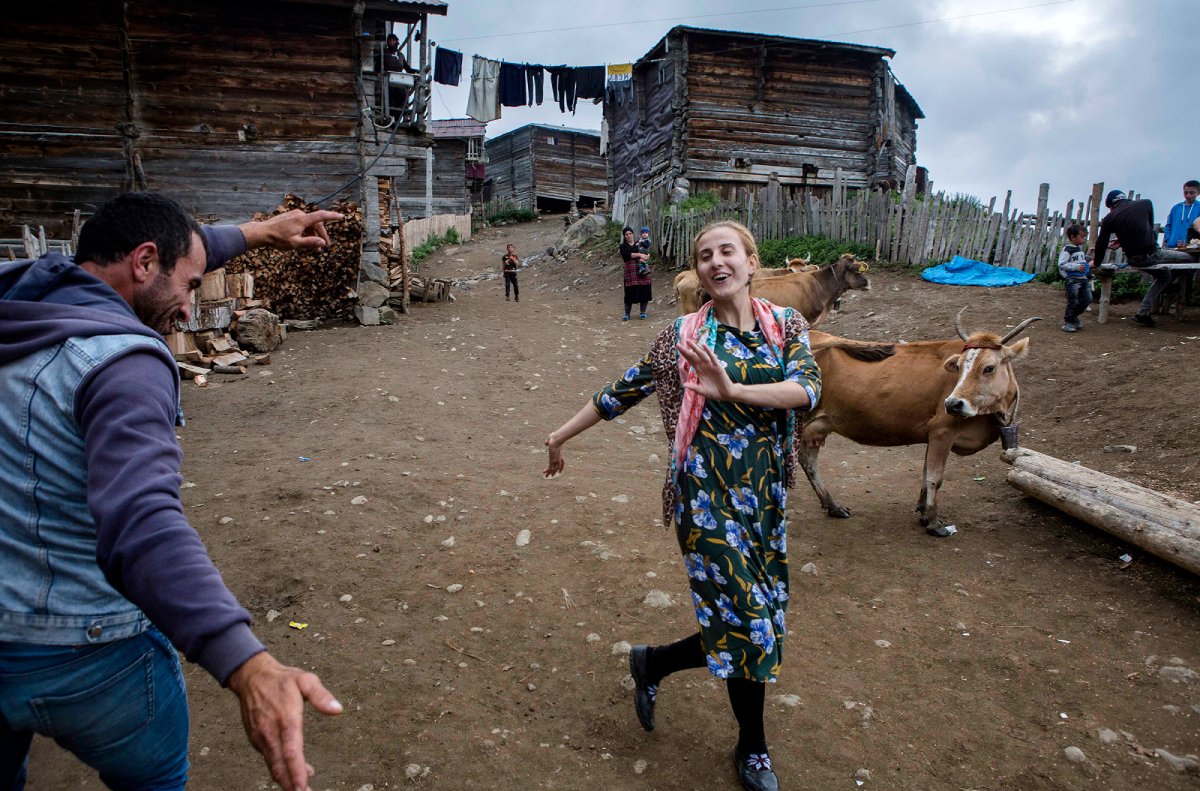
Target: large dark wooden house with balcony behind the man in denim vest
224, 105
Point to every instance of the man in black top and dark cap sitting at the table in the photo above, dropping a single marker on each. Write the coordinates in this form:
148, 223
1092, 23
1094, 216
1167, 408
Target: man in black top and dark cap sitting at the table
1133, 224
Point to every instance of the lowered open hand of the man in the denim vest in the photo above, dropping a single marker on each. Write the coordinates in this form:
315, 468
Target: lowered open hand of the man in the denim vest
273, 698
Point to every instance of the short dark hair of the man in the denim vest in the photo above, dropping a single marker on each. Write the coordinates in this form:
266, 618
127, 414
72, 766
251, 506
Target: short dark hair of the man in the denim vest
135, 219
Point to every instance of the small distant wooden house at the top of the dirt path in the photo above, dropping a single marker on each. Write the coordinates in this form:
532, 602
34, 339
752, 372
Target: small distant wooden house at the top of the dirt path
548, 167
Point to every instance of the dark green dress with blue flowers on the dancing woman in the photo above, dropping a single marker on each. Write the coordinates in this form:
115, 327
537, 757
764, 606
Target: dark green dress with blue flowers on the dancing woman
733, 517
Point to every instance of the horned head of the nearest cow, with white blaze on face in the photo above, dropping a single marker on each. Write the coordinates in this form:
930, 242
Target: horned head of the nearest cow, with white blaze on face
987, 382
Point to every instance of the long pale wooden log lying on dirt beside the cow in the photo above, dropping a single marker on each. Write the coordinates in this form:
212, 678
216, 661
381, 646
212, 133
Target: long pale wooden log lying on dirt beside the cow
1156, 523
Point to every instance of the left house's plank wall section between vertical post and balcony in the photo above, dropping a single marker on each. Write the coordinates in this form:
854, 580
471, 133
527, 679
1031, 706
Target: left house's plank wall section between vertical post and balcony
286, 69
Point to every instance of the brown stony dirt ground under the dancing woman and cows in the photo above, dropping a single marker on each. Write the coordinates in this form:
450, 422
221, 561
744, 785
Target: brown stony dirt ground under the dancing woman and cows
1019, 637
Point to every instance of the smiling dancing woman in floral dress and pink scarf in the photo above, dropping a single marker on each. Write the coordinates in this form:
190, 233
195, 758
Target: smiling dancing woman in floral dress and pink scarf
729, 380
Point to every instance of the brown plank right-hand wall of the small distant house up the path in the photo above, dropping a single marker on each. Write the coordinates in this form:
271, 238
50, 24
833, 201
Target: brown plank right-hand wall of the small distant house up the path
568, 165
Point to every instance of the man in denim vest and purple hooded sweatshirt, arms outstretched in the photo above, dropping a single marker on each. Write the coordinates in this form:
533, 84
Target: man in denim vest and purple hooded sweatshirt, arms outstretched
101, 577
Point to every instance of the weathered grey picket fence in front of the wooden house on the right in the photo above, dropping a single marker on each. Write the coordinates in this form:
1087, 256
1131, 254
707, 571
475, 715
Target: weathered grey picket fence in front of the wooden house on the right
902, 227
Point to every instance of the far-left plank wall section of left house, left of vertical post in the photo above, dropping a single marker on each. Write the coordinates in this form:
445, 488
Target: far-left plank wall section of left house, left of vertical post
63, 93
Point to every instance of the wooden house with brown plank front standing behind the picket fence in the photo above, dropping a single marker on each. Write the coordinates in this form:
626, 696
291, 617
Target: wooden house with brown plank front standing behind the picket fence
727, 111
